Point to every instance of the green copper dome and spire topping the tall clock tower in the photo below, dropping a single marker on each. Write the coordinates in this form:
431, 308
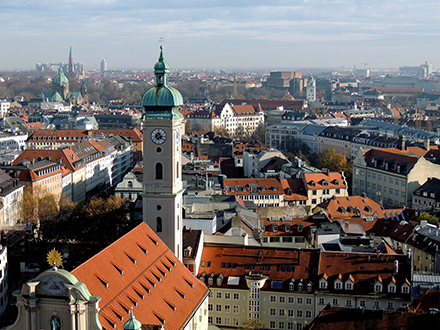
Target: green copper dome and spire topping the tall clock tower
162, 95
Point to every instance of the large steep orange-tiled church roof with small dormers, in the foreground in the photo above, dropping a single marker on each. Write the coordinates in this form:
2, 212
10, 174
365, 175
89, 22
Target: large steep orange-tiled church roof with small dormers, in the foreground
140, 270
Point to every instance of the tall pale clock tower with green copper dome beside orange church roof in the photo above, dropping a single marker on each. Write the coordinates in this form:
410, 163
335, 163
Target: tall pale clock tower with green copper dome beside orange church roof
162, 177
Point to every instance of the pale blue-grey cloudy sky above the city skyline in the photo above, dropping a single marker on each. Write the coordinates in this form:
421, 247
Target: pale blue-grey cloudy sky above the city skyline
276, 34
